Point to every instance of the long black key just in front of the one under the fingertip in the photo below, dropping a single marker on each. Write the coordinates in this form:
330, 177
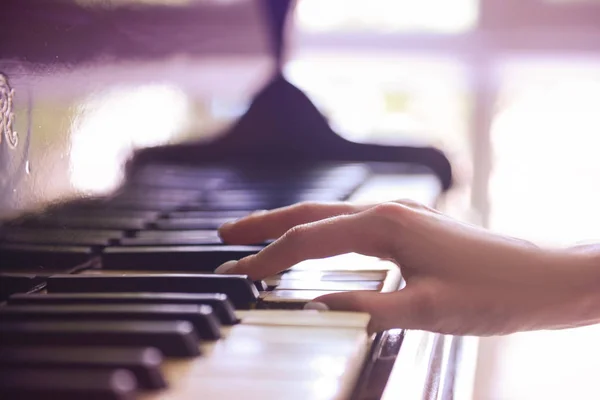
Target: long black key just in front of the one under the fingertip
238, 288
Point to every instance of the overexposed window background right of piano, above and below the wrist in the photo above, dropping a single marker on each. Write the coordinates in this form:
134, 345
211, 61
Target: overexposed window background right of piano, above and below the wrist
510, 90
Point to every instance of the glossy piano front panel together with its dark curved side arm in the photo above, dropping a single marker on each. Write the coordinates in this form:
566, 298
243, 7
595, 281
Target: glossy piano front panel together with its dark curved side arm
85, 83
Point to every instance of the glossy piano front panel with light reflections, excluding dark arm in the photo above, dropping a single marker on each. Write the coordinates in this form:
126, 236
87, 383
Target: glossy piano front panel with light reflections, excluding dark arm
84, 82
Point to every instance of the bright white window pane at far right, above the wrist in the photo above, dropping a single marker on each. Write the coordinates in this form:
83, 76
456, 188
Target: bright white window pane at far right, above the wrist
546, 144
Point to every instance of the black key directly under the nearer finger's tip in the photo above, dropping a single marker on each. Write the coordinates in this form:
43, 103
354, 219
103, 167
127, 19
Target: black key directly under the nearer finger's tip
174, 258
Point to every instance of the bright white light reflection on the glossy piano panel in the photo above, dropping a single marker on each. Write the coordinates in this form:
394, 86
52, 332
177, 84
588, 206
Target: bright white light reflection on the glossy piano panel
110, 125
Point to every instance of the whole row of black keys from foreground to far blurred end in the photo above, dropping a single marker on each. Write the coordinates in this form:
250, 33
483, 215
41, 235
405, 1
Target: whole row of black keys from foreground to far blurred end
101, 336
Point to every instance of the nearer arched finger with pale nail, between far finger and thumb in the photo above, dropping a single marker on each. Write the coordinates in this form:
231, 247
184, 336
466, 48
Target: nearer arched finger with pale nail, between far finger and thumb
372, 233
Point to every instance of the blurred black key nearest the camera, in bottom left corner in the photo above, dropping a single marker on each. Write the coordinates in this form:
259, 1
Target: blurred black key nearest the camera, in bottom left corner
66, 384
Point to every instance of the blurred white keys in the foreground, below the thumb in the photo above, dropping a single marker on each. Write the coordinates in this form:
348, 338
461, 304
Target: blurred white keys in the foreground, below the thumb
269, 357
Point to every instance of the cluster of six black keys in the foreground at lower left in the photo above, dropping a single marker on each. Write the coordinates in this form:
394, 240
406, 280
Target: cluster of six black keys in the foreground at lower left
103, 328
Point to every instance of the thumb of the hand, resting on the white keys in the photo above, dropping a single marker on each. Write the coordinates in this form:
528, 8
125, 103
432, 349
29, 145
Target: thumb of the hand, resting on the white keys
387, 310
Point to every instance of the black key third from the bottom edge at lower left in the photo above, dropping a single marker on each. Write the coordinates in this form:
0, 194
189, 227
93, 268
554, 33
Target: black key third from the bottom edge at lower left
172, 338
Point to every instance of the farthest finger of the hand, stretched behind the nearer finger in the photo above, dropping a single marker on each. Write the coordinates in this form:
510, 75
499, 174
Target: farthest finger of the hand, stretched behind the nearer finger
262, 226
